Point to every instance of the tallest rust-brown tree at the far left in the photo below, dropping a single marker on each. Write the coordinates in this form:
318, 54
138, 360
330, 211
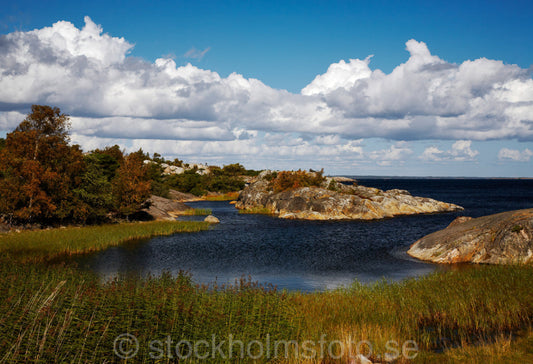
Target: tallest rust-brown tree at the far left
39, 167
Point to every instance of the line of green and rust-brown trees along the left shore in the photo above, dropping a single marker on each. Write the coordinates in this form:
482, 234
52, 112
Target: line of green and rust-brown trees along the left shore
46, 179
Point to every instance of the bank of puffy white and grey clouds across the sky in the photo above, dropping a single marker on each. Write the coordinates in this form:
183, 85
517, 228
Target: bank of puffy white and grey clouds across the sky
113, 96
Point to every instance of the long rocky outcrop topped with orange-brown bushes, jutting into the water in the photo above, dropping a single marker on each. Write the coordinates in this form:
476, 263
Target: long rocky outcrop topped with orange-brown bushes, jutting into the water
310, 196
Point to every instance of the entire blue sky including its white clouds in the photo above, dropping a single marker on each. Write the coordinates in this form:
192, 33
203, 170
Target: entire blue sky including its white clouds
393, 88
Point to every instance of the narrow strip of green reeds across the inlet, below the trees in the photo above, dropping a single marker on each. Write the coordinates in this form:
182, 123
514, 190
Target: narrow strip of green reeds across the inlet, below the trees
45, 245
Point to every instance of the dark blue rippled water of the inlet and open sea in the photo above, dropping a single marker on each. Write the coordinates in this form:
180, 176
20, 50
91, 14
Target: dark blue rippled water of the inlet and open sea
311, 255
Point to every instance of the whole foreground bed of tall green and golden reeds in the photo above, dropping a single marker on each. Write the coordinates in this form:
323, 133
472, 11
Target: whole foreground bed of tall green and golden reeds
59, 314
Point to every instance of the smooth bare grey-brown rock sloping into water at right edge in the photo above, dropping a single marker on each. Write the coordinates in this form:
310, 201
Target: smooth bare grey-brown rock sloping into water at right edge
503, 238
